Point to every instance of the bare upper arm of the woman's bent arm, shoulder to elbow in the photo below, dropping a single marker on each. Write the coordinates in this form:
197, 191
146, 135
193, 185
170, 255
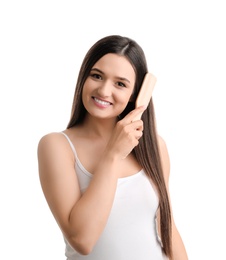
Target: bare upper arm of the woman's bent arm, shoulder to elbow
57, 175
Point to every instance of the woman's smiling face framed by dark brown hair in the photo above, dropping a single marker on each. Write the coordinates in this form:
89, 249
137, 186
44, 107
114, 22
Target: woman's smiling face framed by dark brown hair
108, 88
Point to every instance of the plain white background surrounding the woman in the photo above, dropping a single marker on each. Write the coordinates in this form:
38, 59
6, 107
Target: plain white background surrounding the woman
41, 48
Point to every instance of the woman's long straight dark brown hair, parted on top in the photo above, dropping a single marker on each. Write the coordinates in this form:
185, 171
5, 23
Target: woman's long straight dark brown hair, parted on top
147, 152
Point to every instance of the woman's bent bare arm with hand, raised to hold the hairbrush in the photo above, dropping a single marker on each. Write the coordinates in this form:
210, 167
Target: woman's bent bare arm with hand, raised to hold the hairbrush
82, 218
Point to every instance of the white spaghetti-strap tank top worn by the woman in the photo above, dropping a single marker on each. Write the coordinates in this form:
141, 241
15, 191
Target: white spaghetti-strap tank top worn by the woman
130, 232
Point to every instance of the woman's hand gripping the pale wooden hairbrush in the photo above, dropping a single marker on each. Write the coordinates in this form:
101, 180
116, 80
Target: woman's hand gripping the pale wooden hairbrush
126, 135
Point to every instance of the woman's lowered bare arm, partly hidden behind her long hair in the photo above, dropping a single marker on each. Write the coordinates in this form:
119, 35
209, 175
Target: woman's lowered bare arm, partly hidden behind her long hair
179, 251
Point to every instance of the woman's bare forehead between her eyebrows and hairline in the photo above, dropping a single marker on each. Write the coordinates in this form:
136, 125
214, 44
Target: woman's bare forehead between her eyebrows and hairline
115, 64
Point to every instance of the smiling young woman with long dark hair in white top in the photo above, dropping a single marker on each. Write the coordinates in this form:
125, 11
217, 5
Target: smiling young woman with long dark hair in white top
105, 177
